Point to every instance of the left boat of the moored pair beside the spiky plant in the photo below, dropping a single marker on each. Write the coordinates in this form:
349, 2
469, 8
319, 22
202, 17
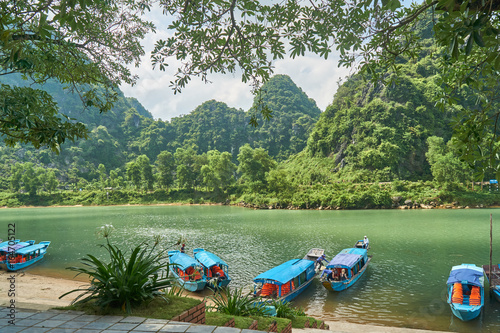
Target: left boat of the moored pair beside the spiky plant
187, 271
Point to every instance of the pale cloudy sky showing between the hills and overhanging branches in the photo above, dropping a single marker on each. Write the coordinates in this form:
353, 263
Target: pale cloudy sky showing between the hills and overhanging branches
317, 77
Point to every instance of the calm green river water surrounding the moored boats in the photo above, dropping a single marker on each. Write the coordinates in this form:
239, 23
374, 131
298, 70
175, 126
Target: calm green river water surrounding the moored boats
405, 285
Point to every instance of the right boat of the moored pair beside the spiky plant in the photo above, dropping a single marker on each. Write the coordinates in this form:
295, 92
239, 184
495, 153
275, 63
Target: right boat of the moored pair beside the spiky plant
214, 268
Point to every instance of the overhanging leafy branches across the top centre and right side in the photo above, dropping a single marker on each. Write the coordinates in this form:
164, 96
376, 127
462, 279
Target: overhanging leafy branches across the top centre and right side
370, 35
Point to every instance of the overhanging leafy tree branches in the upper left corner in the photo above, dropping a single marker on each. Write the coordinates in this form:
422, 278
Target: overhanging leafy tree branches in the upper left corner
82, 43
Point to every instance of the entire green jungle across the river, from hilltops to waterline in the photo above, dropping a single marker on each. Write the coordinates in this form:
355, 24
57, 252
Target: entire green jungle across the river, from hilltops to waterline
377, 145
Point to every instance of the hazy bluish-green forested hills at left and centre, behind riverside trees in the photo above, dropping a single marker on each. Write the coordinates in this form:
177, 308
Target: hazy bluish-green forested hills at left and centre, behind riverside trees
129, 130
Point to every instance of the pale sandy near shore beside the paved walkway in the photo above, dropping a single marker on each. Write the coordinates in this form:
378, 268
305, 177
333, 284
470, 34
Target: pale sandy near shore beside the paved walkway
41, 293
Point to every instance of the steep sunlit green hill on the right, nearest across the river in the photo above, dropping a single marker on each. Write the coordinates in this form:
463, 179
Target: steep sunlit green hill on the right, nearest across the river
377, 132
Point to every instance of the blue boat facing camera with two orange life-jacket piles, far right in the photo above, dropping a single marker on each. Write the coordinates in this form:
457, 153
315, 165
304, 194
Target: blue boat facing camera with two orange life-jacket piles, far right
466, 291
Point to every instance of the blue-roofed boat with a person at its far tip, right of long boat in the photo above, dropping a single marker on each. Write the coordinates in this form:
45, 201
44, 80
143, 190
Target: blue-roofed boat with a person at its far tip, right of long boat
345, 269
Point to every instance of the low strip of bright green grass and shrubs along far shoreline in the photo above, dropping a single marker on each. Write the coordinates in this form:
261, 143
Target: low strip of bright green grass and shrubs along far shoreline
331, 196
